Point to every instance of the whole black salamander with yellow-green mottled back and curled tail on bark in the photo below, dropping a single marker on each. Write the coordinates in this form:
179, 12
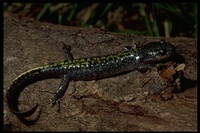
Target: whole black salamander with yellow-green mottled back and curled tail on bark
91, 68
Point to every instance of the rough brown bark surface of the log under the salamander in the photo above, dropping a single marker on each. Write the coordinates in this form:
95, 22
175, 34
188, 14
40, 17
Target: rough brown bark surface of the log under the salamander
129, 102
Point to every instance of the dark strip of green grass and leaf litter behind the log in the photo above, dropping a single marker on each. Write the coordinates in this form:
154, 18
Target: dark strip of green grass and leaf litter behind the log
152, 19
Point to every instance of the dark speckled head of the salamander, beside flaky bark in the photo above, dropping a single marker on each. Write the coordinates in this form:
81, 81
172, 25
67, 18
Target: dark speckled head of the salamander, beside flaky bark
156, 51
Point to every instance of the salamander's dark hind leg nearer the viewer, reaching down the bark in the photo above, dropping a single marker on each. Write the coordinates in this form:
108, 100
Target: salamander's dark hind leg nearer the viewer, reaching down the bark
60, 92
